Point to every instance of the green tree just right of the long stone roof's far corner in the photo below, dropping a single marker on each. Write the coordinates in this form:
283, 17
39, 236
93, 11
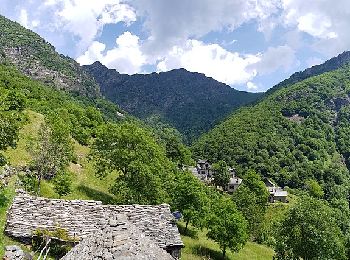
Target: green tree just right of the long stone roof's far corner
189, 198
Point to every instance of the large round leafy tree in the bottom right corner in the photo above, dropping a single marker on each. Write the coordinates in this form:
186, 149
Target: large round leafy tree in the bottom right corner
311, 231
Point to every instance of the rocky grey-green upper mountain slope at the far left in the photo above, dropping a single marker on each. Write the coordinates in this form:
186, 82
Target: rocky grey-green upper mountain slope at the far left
36, 58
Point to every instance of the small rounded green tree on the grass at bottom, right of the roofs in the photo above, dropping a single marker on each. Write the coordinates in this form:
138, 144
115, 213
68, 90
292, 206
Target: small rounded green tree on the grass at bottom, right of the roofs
227, 226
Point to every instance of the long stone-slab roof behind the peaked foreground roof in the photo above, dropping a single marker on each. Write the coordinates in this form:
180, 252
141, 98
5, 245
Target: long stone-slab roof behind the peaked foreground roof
81, 218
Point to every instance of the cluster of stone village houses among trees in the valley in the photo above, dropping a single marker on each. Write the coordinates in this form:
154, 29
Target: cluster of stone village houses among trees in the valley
205, 172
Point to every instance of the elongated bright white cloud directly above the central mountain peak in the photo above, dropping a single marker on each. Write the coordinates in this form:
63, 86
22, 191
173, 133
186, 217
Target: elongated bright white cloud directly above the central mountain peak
212, 60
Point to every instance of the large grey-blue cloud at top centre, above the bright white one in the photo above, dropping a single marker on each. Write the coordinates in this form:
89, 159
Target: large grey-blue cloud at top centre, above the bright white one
172, 23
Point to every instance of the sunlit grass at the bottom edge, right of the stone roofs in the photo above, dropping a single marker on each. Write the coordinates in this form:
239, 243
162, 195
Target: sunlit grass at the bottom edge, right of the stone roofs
199, 247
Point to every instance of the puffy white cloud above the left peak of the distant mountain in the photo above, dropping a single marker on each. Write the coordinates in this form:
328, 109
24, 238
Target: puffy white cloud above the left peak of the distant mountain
126, 57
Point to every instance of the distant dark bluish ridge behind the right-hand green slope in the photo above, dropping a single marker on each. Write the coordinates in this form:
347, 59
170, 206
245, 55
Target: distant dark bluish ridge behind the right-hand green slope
329, 65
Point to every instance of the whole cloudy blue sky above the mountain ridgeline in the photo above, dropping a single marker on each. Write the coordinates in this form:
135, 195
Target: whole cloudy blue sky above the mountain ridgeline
250, 45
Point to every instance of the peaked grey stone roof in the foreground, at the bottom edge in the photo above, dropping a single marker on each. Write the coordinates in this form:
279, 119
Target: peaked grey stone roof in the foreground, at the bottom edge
118, 240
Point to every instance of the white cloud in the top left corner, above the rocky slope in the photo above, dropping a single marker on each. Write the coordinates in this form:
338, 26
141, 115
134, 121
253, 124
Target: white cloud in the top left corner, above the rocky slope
77, 22
